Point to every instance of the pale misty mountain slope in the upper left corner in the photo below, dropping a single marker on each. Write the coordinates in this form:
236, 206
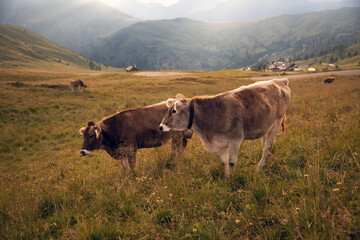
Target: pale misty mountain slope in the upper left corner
70, 23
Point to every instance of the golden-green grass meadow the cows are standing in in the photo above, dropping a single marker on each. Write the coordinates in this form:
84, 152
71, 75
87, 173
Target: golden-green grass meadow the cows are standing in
309, 189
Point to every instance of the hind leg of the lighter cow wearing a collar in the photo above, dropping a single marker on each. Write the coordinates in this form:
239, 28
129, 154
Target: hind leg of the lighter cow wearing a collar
267, 142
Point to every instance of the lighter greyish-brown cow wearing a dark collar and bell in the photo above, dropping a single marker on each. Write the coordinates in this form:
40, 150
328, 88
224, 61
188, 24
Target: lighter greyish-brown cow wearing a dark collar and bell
225, 120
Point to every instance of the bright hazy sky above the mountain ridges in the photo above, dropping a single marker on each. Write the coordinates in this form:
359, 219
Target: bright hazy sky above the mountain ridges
221, 10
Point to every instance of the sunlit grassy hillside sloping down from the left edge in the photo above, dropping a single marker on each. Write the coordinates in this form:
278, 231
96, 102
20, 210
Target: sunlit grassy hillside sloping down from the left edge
22, 48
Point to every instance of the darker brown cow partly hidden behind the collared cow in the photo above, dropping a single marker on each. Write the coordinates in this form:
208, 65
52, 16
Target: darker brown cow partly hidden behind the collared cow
121, 134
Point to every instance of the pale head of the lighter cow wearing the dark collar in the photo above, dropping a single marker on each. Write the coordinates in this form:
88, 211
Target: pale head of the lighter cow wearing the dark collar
178, 114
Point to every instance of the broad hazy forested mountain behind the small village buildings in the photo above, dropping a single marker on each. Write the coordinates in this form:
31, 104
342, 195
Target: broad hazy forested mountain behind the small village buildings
188, 44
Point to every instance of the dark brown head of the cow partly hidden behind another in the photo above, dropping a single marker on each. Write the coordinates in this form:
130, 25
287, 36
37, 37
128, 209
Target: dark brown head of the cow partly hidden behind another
92, 138
